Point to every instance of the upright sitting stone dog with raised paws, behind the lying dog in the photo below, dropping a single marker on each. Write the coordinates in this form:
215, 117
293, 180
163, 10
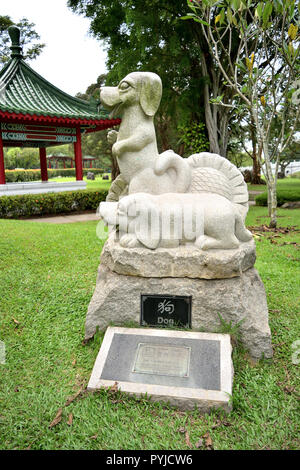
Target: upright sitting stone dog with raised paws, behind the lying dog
136, 100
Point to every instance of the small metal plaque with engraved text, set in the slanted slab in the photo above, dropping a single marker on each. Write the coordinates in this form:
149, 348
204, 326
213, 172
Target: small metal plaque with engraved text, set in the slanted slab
159, 359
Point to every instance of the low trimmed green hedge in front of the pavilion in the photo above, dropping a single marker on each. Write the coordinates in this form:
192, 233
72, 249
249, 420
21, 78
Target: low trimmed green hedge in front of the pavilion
28, 205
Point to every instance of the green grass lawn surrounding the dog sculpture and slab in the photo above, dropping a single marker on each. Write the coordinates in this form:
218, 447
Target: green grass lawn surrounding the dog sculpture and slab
47, 278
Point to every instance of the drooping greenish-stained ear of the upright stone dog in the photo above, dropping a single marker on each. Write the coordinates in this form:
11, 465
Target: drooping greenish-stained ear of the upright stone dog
151, 92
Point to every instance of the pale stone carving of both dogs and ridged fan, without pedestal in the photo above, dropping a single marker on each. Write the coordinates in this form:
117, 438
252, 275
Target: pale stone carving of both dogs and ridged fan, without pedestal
207, 182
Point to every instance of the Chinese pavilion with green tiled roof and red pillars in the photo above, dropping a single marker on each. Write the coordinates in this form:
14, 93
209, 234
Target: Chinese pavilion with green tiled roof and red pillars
34, 113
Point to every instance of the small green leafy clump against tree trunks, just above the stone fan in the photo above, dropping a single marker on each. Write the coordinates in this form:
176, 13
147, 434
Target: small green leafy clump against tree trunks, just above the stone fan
194, 137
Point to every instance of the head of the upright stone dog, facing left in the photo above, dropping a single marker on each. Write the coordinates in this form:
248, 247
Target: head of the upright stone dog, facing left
144, 88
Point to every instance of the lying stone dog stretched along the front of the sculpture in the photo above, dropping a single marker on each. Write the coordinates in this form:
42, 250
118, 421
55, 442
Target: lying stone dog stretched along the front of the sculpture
208, 220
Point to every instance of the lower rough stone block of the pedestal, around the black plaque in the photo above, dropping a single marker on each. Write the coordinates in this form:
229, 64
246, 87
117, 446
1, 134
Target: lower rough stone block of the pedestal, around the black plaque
116, 300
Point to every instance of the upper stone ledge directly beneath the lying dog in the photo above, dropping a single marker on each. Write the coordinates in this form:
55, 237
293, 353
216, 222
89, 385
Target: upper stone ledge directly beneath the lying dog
183, 261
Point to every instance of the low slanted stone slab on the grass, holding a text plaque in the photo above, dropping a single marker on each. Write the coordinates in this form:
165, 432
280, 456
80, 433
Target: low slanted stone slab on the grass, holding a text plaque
186, 369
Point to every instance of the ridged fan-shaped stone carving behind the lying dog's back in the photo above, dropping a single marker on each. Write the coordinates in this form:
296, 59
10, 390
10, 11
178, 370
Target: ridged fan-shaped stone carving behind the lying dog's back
215, 174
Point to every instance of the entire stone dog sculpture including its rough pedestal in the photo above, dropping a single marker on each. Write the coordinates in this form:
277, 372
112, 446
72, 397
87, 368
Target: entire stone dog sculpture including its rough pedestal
177, 229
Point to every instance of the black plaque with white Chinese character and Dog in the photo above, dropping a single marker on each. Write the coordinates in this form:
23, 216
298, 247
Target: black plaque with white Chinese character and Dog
166, 310
